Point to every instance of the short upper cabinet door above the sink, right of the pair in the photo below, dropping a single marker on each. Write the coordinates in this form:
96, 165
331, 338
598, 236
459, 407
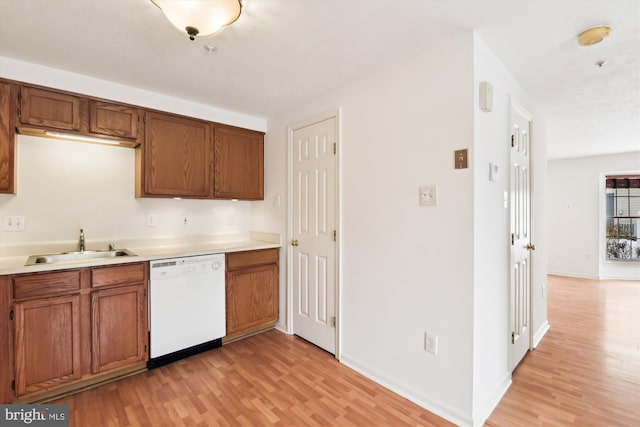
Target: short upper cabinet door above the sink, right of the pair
106, 118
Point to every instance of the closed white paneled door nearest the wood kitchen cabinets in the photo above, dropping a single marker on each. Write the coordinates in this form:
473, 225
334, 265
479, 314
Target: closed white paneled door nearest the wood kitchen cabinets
313, 236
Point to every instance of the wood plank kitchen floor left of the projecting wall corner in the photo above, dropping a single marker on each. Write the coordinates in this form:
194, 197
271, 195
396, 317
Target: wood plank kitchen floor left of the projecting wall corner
268, 379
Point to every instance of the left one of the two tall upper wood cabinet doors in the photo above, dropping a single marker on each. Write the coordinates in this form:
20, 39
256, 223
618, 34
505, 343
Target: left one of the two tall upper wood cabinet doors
177, 157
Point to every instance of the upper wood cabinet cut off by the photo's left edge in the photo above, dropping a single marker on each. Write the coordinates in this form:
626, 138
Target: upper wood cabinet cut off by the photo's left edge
7, 139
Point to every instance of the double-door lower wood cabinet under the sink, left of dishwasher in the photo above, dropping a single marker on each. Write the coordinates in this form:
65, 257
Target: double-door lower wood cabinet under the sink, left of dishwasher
74, 328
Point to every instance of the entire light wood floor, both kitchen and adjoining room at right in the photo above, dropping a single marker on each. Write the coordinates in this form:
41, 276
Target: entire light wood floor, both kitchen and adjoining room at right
586, 372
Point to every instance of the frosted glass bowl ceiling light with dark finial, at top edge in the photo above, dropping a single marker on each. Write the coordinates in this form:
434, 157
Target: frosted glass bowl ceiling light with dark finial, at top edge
202, 18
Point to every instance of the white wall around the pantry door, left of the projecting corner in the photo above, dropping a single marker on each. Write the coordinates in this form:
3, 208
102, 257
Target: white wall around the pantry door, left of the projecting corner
405, 269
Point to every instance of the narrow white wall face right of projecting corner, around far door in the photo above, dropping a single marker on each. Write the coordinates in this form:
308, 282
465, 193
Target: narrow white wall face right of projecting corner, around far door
491, 228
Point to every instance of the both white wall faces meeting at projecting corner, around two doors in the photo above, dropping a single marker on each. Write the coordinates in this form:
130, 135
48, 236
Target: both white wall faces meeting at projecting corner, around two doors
407, 269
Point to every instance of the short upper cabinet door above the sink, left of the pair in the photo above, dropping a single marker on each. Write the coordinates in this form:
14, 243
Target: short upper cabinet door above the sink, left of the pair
50, 109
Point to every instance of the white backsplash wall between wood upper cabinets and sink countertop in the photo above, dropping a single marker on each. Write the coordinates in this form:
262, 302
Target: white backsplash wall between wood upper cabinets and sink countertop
66, 185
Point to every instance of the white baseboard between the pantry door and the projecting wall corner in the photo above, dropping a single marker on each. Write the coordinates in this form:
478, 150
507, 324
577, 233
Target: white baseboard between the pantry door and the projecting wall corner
408, 393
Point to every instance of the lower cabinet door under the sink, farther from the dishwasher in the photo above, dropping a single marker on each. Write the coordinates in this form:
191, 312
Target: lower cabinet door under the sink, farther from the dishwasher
47, 343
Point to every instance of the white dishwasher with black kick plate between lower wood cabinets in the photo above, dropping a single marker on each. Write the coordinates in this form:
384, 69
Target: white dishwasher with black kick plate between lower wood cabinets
186, 307
